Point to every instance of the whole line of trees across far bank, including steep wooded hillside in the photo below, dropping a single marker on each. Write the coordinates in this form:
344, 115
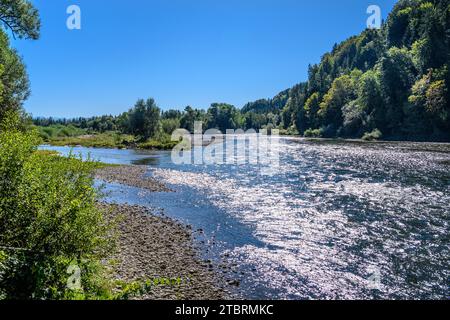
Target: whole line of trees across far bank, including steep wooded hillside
389, 83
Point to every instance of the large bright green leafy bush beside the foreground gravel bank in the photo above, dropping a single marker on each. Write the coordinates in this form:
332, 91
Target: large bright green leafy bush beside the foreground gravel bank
48, 222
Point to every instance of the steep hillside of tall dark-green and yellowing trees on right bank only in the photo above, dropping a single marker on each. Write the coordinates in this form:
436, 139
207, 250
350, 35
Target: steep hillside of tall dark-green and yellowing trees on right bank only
392, 81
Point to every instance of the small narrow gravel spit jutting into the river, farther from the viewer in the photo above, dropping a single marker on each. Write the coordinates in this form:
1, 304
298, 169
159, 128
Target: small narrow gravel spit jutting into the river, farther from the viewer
134, 176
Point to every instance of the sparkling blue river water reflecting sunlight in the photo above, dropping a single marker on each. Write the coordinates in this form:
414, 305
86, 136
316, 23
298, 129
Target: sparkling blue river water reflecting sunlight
336, 219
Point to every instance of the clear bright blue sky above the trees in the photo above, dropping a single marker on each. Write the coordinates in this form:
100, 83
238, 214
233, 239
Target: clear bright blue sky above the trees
180, 52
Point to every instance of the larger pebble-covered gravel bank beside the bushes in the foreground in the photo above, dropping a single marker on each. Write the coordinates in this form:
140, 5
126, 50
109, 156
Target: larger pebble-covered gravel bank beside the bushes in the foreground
154, 247
